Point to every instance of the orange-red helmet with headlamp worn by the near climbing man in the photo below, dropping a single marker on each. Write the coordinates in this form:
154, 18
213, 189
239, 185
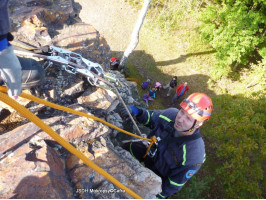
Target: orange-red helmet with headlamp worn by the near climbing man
198, 105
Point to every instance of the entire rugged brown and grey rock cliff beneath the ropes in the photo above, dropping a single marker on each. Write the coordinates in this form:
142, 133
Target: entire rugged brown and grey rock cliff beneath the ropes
32, 163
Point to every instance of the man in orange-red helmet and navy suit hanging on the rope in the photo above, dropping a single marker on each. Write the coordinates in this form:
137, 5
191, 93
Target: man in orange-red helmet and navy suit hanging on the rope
179, 151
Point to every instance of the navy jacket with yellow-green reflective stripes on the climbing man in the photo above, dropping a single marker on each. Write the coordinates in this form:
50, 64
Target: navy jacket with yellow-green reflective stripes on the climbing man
174, 163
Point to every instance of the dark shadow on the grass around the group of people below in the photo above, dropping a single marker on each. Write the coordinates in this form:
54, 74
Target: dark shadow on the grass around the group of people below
143, 66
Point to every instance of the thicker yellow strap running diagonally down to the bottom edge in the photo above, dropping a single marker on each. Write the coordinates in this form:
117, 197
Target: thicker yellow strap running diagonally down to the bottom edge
26, 113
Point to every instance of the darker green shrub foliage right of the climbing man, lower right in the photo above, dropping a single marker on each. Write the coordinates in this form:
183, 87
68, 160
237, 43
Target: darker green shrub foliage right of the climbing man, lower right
237, 127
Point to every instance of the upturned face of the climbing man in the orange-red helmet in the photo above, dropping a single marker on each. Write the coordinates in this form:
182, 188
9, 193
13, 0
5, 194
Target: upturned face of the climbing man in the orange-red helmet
183, 121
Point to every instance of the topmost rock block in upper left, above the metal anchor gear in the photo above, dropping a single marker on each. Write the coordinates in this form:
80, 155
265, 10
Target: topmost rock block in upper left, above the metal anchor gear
31, 18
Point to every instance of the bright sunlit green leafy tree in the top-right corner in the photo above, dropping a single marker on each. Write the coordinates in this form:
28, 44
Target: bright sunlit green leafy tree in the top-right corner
235, 28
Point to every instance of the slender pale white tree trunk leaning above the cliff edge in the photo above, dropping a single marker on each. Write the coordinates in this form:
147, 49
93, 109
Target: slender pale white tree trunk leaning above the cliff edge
135, 34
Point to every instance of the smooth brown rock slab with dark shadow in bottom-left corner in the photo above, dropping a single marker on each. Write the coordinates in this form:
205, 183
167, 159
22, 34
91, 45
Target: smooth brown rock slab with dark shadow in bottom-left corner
30, 170
